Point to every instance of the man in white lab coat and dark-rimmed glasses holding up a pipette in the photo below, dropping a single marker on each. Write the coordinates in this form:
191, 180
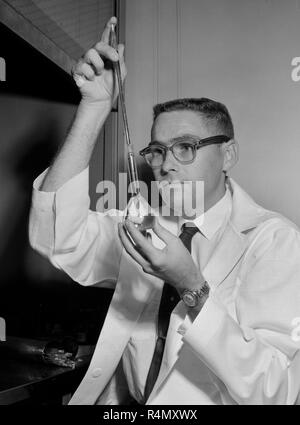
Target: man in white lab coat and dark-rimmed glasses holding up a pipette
230, 339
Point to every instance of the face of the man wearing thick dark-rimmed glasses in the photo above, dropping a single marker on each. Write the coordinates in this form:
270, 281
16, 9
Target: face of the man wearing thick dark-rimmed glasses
208, 164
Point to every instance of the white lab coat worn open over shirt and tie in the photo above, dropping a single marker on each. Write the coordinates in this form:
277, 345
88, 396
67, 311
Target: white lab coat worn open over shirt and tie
239, 350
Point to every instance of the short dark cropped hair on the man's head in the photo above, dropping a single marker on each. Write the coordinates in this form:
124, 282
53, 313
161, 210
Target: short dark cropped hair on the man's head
214, 112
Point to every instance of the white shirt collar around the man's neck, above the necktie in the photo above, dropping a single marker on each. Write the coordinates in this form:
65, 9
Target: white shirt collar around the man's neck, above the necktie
212, 220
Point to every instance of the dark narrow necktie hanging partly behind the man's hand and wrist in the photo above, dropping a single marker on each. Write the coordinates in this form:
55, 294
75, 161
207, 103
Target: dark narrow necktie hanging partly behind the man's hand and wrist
169, 299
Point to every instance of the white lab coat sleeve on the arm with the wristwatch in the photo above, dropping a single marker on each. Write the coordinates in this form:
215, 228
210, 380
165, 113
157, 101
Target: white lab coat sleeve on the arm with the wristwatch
257, 356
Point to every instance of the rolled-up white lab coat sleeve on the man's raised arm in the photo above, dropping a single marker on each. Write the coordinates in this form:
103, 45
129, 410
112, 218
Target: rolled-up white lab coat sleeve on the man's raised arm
81, 242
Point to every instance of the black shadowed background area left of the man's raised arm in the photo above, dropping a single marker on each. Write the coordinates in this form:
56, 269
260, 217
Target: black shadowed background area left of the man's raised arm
37, 103
